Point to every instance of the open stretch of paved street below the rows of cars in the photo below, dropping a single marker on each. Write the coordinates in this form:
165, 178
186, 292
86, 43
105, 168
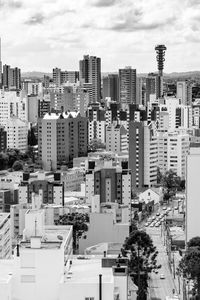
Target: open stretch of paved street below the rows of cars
160, 288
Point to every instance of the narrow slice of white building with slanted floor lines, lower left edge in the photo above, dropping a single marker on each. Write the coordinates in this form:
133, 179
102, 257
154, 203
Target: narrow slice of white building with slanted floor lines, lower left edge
5, 236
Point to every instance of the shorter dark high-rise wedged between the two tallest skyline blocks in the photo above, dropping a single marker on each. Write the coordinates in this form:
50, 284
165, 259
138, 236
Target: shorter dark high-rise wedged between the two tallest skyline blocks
111, 87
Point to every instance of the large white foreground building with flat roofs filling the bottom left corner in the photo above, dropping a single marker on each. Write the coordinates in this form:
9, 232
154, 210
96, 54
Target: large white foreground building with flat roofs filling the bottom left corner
43, 268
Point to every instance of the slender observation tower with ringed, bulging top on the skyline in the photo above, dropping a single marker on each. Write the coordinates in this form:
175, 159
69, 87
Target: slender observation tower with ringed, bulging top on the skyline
160, 51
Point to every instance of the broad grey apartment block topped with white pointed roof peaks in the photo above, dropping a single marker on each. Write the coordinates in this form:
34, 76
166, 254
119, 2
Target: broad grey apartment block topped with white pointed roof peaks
61, 137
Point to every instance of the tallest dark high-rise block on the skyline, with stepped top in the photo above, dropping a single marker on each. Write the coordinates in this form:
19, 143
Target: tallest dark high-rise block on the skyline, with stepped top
90, 72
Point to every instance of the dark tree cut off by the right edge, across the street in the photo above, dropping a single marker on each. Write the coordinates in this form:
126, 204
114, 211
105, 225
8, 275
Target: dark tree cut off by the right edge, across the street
189, 266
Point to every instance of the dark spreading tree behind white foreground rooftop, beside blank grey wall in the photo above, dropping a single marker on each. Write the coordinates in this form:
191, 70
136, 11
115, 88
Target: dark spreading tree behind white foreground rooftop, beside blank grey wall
79, 222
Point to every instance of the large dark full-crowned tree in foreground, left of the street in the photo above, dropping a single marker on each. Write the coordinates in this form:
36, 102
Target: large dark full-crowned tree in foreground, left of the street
142, 259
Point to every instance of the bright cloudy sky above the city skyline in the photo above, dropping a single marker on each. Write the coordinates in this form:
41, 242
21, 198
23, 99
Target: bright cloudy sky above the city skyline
38, 35
